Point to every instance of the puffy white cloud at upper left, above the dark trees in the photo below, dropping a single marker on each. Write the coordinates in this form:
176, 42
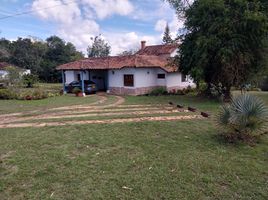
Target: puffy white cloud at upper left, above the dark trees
71, 25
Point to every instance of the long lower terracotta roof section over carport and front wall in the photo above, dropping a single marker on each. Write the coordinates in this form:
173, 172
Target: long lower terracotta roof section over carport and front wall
119, 62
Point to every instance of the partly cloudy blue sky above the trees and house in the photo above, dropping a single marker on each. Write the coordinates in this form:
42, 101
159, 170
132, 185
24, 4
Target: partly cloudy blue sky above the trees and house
122, 23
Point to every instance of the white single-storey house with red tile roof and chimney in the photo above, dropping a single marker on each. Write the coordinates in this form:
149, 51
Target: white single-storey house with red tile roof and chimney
134, 74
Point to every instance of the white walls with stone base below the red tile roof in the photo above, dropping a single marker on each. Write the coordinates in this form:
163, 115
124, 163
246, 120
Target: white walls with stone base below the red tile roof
145, 79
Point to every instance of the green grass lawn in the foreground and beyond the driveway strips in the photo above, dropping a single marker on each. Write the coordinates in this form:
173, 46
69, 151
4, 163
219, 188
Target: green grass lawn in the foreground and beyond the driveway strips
147, 160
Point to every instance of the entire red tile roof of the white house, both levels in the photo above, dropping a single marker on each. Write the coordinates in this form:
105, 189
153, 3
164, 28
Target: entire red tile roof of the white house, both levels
151, 56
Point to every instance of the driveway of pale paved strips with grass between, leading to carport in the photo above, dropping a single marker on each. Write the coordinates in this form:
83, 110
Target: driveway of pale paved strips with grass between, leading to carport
103, 111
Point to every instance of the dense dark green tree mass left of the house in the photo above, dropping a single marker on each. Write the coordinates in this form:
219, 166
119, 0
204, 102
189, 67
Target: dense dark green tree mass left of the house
41, 57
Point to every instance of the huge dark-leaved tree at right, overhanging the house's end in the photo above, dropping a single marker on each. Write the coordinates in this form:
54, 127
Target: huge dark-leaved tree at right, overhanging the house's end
226, 41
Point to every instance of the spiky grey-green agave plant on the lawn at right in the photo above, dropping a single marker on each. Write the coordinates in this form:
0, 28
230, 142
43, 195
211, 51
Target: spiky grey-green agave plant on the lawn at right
246, 115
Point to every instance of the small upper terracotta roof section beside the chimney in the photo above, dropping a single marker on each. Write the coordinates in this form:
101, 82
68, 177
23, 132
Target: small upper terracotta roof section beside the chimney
158, 50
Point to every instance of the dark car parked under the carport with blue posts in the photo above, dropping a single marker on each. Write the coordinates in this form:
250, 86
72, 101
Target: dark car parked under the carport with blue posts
90, 86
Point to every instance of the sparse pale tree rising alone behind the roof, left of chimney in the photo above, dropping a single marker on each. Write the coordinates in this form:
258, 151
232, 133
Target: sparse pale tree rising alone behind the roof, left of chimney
99, 48
